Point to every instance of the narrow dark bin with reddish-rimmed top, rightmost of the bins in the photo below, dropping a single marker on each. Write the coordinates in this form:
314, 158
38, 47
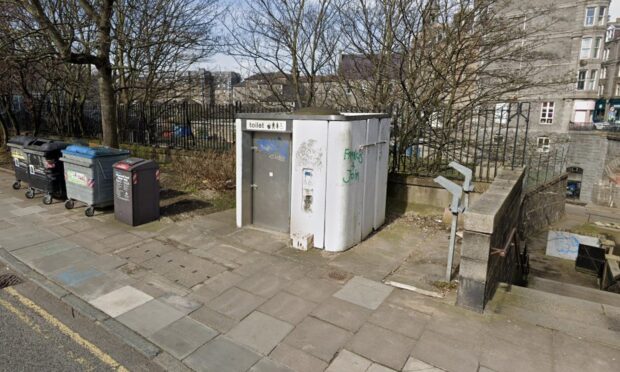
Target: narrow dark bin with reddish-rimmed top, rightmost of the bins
136, 191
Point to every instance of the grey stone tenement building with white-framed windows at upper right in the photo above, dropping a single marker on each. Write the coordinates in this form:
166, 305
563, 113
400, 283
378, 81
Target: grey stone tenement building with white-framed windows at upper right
562, 114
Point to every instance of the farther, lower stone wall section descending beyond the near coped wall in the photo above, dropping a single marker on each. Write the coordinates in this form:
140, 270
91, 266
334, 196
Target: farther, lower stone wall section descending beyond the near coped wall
543, 205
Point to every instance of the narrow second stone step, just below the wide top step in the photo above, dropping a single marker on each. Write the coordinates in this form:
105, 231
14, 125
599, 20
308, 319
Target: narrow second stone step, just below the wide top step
575, 291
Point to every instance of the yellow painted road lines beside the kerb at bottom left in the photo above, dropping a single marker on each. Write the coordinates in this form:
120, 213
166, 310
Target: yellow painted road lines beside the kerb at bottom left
75, 337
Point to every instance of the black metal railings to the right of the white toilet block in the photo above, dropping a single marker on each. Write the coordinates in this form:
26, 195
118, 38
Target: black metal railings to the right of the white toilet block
481, 139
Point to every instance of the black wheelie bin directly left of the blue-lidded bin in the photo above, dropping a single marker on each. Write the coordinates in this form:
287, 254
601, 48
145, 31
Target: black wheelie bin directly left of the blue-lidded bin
45, 169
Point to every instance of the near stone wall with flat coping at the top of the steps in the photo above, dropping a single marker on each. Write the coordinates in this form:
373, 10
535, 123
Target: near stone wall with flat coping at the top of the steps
488, 224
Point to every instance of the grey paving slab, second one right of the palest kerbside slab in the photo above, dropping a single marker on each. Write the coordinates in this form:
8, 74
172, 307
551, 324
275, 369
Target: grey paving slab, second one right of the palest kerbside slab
183, 337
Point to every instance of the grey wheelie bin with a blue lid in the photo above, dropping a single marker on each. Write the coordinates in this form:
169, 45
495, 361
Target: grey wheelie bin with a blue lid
88, 175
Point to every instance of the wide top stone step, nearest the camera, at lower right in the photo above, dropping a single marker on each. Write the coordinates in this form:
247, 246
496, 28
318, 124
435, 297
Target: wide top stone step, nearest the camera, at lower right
573, 316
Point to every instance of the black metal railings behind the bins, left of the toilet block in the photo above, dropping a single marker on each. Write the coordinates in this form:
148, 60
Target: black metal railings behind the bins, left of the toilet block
185, 125
